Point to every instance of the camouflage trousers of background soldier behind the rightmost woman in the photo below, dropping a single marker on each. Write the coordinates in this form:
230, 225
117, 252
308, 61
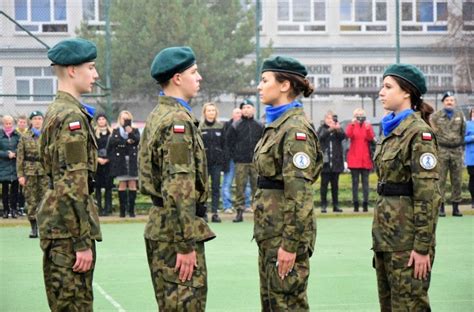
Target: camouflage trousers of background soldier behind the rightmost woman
452, 162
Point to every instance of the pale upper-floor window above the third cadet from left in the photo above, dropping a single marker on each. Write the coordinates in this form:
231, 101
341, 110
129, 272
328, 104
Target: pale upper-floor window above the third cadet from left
301, 15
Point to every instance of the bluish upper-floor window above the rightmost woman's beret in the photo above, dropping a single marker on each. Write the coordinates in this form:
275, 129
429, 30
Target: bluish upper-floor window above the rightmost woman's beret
424, 15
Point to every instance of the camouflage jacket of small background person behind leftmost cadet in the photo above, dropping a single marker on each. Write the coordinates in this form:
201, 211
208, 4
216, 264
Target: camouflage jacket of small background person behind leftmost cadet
27, 156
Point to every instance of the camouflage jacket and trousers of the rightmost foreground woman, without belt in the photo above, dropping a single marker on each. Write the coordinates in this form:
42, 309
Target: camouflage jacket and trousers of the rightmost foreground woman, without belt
405, 223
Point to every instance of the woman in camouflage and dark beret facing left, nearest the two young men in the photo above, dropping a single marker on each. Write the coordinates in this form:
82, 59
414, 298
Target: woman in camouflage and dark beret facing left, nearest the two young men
288, 160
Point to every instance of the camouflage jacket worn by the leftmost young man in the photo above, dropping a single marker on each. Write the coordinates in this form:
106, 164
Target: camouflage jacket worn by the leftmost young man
68, 152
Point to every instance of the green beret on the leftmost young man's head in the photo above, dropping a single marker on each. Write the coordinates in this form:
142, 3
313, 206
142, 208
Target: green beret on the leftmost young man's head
72, 52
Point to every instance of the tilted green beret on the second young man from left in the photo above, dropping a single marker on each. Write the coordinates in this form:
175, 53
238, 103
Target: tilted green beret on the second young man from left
171, 61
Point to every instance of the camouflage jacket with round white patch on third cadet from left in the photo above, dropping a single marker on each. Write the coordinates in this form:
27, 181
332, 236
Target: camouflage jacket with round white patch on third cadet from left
288, 152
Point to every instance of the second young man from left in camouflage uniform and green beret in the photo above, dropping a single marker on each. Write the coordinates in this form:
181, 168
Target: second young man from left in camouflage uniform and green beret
173, 171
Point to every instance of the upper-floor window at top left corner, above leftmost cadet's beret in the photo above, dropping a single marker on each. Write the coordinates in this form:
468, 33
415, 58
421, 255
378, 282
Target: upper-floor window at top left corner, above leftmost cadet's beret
43, 16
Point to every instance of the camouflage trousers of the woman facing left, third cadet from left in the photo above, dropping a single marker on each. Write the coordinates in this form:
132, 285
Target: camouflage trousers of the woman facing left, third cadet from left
288, 294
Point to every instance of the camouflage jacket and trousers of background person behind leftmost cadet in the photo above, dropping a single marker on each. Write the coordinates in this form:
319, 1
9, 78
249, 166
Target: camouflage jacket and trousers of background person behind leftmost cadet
28, 166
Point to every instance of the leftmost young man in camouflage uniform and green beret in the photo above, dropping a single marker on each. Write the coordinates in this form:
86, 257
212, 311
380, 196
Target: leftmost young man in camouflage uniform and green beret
67, 217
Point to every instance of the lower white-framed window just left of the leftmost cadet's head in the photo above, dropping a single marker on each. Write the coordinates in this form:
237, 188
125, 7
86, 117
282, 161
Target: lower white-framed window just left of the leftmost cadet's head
35, 84
